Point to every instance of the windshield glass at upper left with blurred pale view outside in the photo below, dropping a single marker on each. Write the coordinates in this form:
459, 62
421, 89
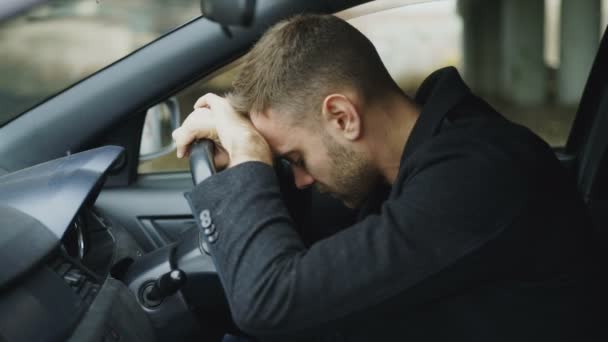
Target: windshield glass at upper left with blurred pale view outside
52, 46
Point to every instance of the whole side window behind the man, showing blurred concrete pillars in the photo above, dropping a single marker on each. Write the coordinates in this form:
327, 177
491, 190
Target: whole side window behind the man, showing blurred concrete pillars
529, 59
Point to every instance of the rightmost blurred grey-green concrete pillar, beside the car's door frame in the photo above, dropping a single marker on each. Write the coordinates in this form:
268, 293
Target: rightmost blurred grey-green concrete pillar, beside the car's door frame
579, 40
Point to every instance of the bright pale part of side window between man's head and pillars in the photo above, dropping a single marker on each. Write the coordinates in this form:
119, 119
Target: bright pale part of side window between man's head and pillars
414, 40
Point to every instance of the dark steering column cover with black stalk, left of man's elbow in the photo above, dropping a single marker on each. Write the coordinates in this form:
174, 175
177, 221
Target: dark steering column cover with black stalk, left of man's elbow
178, 288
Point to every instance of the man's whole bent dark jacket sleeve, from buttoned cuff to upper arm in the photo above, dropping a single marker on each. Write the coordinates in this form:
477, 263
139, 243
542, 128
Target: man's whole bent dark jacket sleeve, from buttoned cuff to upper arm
275, 285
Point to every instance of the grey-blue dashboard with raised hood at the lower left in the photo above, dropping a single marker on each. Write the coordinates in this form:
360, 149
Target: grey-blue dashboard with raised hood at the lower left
57, 255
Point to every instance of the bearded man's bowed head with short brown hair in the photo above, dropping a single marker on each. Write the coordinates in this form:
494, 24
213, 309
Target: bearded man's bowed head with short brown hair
310, 86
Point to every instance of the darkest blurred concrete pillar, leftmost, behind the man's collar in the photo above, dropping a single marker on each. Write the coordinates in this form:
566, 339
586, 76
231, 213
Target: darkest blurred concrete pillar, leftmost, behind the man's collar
481, 45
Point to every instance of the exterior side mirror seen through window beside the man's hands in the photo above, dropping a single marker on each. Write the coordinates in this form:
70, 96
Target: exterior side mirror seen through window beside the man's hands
161, 120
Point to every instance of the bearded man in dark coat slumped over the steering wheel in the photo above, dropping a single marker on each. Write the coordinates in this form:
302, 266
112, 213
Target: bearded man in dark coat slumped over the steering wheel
479, 235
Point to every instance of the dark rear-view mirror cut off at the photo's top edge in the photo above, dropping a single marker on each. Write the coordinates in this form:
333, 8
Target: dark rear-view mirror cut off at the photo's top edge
229, 12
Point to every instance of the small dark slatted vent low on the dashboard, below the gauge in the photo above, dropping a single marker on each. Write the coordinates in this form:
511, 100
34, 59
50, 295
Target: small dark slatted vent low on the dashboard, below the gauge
83, 284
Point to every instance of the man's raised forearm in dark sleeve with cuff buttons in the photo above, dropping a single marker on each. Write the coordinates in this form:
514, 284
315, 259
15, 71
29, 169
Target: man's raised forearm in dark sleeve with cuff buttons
241, 217
